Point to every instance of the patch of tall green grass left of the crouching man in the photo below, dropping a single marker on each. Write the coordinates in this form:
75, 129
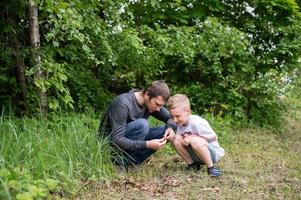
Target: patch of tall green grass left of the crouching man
61, 147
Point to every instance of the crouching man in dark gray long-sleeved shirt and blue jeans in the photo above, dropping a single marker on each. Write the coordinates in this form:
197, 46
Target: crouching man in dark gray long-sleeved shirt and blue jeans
127, 128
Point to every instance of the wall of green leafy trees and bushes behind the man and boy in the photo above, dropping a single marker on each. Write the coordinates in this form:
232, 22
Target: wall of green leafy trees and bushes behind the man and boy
228, 56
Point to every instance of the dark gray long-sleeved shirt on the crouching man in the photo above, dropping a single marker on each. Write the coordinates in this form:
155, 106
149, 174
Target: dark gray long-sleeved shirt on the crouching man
123, 110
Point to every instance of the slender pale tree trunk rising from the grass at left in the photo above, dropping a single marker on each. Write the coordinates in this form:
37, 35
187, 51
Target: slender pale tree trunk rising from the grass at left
35, 43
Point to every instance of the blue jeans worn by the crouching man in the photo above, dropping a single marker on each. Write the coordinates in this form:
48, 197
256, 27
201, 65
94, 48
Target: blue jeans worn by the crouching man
140, 130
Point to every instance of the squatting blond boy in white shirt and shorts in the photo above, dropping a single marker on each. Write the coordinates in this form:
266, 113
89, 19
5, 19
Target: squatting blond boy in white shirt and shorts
195, 141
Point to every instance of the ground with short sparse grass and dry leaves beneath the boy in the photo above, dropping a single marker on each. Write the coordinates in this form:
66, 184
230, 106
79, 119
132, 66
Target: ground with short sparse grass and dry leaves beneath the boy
258, 165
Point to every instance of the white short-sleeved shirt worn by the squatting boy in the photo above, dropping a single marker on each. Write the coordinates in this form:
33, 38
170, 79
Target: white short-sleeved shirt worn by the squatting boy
198, 126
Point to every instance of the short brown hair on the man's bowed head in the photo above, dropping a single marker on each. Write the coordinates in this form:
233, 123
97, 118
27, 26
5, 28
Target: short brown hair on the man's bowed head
158, 88
